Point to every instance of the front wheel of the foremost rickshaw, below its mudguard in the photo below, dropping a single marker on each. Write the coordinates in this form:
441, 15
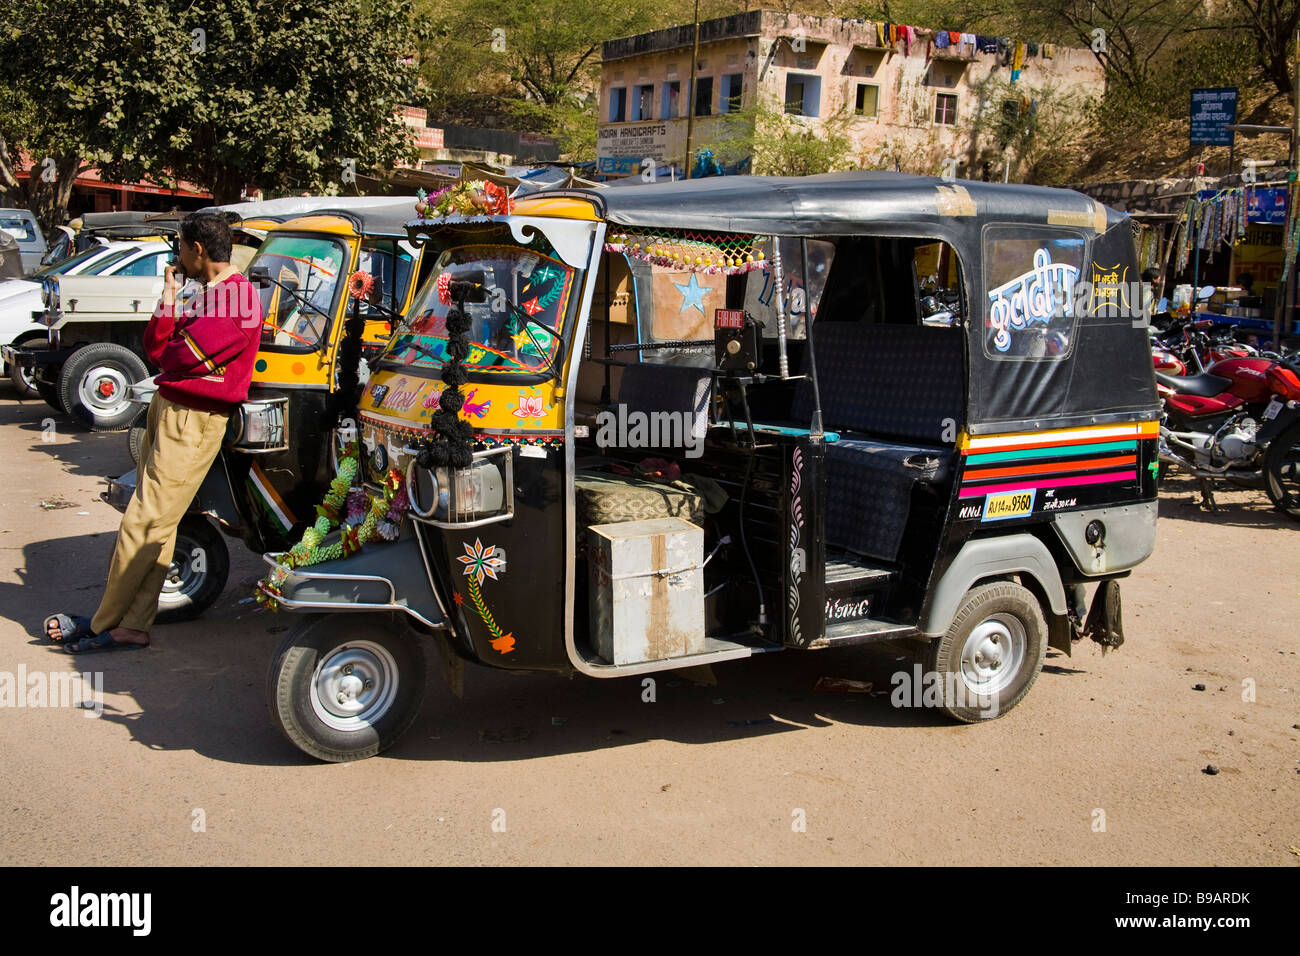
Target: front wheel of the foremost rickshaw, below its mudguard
346, 686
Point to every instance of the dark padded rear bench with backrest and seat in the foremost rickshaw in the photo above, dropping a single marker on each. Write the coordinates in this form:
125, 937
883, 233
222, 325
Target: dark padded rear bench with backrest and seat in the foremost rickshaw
894, 393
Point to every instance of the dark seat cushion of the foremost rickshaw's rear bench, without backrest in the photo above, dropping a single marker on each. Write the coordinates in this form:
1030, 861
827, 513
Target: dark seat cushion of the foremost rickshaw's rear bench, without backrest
869, 492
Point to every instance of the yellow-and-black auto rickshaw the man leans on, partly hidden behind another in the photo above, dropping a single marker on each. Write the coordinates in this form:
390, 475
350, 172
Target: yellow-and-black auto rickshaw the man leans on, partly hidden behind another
276, 460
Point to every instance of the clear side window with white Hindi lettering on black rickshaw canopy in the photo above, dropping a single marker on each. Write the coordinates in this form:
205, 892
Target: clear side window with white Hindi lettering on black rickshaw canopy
1030, 280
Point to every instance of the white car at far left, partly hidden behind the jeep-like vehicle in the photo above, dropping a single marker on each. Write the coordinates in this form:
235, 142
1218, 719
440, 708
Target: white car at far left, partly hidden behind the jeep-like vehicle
21, 300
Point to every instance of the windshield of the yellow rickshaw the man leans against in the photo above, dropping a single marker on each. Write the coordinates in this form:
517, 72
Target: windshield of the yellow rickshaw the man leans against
301, 302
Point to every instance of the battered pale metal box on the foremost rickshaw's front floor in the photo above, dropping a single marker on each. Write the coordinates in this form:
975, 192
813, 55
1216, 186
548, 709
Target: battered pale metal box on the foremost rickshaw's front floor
647, 590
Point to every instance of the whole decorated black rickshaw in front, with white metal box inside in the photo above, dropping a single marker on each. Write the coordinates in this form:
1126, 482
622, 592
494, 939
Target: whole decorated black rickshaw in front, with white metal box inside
636, 430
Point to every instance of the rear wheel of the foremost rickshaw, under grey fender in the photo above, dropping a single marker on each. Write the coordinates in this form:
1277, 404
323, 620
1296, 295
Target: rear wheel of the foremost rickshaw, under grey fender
991, 655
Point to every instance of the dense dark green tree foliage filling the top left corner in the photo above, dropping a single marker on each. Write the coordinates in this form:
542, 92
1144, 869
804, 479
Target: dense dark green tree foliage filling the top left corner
223, 93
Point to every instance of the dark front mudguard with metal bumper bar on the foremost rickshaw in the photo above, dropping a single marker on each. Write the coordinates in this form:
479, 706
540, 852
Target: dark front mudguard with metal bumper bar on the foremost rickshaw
382, 578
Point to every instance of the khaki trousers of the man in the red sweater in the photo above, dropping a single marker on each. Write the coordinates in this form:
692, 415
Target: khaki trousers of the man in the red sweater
179, 448
